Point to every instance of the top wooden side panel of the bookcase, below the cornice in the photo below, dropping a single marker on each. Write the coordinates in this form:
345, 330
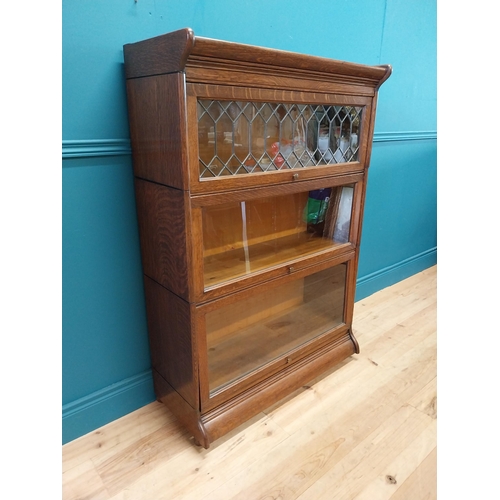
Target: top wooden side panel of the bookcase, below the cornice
158, 128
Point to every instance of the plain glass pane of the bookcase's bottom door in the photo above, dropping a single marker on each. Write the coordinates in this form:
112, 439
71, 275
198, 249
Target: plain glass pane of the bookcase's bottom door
246, 335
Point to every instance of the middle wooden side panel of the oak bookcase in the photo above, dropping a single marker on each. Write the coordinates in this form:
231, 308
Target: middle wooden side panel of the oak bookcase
162, 229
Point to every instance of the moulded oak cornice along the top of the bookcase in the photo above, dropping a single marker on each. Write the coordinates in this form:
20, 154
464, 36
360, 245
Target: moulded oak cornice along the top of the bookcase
182, 51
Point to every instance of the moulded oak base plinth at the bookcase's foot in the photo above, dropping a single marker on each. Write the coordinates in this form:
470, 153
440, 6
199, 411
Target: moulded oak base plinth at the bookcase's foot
211, 425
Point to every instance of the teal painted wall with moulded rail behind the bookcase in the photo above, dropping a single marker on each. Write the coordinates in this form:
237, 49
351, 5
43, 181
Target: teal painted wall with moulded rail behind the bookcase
106, 368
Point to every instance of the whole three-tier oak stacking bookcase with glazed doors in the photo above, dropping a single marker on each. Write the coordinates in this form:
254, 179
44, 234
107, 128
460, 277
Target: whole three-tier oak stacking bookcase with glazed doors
250, 169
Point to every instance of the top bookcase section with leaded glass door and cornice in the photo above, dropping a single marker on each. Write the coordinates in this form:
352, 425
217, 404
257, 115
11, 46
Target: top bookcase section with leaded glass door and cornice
208, 116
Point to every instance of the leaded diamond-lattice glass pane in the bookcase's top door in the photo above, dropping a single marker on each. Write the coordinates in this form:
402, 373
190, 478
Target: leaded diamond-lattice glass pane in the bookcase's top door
237, 137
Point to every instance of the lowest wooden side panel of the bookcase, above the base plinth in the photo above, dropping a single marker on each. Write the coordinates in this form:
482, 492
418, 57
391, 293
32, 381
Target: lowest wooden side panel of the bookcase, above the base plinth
172, 346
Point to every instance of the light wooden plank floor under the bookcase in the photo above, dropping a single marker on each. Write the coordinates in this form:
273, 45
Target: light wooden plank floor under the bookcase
366, 430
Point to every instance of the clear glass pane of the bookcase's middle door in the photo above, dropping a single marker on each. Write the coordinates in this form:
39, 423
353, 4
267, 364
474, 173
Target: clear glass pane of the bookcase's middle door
240, 238
